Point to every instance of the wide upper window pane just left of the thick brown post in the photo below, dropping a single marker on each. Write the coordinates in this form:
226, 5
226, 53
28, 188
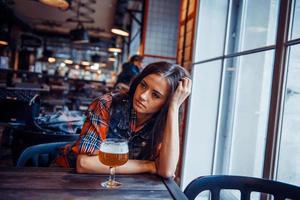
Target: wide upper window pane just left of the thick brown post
252, 24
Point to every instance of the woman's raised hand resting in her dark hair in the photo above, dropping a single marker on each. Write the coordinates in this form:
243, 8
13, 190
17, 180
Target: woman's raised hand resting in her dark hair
183, 90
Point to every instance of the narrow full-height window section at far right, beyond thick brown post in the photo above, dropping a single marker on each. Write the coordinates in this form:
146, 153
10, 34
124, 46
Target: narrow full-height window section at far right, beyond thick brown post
288, 160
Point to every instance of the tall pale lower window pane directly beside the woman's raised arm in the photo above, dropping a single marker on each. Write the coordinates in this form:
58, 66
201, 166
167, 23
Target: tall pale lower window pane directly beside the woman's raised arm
201, 125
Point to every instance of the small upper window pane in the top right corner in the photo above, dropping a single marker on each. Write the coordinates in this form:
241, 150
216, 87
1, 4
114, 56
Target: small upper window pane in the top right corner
295, 20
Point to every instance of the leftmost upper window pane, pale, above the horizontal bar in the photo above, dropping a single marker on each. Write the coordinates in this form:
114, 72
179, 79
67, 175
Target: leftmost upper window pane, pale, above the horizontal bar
211, 29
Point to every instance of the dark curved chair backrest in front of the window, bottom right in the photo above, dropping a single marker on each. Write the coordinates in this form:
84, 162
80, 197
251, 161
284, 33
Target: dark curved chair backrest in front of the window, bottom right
245, 185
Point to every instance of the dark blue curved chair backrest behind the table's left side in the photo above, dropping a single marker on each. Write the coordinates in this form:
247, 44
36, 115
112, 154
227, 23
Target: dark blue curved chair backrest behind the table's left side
34, 153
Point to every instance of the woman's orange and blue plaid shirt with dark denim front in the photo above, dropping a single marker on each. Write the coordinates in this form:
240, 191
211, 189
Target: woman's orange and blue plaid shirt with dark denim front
97, 127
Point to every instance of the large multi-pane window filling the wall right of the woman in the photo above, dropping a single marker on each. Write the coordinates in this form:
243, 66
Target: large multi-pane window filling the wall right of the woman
235, 67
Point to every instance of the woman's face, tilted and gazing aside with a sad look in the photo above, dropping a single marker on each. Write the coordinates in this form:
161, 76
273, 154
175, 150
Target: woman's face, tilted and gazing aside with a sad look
151, 94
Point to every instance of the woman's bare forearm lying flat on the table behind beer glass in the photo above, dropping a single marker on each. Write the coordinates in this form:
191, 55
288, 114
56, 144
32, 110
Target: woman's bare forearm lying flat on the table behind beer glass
91, 164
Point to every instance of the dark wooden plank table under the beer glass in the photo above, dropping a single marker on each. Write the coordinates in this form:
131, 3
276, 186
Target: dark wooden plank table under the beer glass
59, 183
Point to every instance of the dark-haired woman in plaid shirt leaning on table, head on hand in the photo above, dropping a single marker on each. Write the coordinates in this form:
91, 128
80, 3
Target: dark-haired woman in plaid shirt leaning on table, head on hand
147, 116
